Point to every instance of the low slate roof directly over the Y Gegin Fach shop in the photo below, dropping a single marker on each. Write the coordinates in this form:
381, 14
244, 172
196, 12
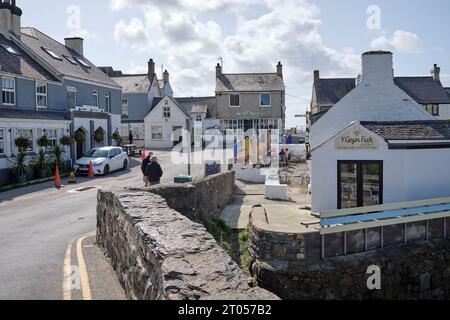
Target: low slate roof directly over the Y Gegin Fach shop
411, 130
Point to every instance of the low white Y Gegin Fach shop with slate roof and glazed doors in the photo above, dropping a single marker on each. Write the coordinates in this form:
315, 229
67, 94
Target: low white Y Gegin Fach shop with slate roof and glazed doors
372, 163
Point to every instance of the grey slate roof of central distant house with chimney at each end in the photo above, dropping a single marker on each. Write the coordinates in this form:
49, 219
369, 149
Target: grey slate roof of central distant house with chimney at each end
249, 82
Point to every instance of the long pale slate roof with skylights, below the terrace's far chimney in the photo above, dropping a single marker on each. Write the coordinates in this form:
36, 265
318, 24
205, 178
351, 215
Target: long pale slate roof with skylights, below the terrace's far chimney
35, 40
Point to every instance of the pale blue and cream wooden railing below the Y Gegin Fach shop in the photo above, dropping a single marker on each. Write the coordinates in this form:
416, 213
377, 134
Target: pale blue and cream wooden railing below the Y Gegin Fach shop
380, 216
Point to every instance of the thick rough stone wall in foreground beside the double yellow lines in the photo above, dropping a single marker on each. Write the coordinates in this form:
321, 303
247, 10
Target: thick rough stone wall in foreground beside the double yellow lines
159, 254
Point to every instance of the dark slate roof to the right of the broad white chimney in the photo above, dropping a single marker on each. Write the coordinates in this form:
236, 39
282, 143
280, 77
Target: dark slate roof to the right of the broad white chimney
423, 89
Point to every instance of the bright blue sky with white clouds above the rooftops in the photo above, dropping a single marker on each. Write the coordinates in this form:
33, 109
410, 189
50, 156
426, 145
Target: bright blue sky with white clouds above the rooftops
187, 37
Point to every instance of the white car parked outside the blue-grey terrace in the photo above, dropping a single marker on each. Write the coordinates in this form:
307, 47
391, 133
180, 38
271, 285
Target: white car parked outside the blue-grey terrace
104, 160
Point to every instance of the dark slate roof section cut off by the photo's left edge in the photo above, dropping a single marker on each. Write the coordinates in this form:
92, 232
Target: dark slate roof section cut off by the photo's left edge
22, 64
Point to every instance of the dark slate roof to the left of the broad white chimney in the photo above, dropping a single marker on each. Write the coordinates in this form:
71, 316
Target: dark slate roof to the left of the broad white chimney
331, 91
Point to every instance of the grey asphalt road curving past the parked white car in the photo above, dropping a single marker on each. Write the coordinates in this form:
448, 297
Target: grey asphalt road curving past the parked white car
38, 223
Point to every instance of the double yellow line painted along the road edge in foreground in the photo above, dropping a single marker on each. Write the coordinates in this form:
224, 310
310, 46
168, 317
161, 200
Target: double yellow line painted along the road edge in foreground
84, 275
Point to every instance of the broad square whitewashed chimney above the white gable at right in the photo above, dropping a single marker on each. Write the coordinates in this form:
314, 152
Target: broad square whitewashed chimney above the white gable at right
377, 68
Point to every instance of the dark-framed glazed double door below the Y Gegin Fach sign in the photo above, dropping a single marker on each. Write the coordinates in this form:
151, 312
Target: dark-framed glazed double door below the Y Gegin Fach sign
360, 183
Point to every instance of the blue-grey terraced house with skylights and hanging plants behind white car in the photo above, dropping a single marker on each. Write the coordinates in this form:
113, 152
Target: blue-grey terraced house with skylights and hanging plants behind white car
50, 88
